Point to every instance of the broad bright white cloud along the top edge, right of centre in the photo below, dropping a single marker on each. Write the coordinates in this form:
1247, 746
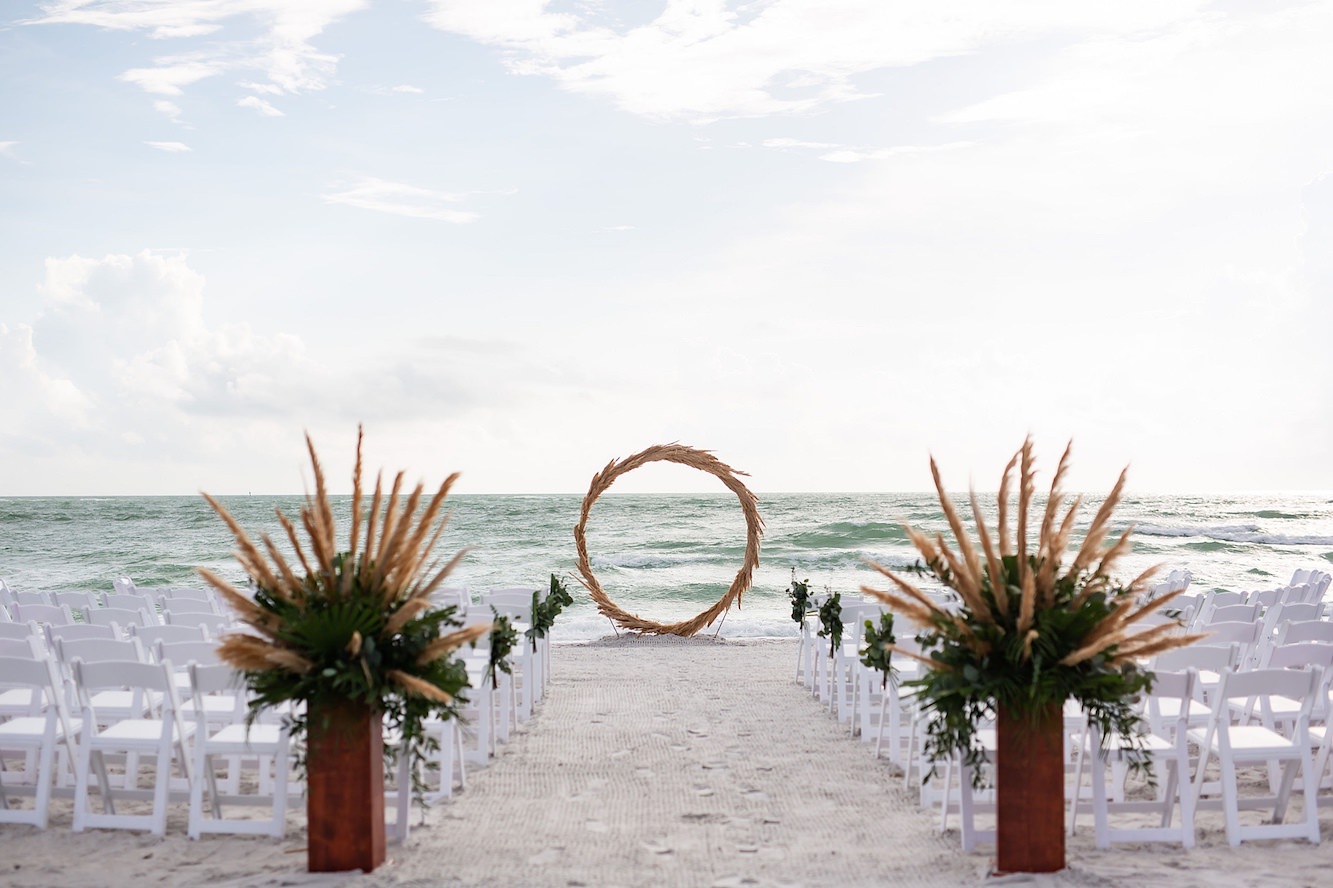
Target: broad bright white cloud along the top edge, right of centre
708, 61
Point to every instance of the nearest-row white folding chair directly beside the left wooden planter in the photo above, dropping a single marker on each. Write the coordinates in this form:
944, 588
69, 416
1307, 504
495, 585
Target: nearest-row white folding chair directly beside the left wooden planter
269, 746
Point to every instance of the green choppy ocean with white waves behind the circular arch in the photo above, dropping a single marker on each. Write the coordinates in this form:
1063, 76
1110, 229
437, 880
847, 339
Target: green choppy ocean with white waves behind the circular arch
662, 557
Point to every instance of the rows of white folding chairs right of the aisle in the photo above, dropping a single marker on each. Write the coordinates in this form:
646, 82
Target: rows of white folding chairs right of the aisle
886, 714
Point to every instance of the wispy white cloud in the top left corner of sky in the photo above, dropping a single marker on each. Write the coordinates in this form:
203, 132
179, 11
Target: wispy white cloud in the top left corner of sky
283, 50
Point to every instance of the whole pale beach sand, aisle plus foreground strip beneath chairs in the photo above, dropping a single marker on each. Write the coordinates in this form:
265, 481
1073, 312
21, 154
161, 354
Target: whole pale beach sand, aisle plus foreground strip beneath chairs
661, 762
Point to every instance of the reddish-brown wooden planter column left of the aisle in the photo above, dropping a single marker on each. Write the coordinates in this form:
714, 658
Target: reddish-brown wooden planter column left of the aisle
346, 789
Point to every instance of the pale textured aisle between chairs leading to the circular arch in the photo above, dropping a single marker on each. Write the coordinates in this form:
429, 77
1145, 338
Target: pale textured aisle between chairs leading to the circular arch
682, 762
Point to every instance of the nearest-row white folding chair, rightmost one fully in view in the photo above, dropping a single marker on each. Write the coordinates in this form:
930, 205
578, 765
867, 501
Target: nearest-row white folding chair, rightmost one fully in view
1258, 745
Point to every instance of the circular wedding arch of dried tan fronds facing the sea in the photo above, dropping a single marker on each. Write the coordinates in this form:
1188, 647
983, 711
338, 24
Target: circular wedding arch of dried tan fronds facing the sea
704, 462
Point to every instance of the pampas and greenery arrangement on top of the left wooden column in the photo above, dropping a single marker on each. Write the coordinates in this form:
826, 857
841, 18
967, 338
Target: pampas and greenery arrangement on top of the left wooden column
355, 623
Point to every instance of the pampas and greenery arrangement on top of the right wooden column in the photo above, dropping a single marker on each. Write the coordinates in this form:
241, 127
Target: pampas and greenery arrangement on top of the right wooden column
1030, 630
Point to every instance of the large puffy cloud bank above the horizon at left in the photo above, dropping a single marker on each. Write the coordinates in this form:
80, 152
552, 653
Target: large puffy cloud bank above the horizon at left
123, 373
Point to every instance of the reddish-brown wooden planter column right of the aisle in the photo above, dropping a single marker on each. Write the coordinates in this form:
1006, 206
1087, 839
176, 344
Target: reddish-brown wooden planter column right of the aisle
1031, 791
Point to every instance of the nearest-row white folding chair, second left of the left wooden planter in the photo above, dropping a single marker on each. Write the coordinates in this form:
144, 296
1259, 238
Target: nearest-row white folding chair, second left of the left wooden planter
165, 737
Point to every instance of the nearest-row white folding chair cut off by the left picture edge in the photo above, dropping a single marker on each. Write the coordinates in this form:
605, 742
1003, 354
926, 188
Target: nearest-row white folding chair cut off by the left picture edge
38, 735
